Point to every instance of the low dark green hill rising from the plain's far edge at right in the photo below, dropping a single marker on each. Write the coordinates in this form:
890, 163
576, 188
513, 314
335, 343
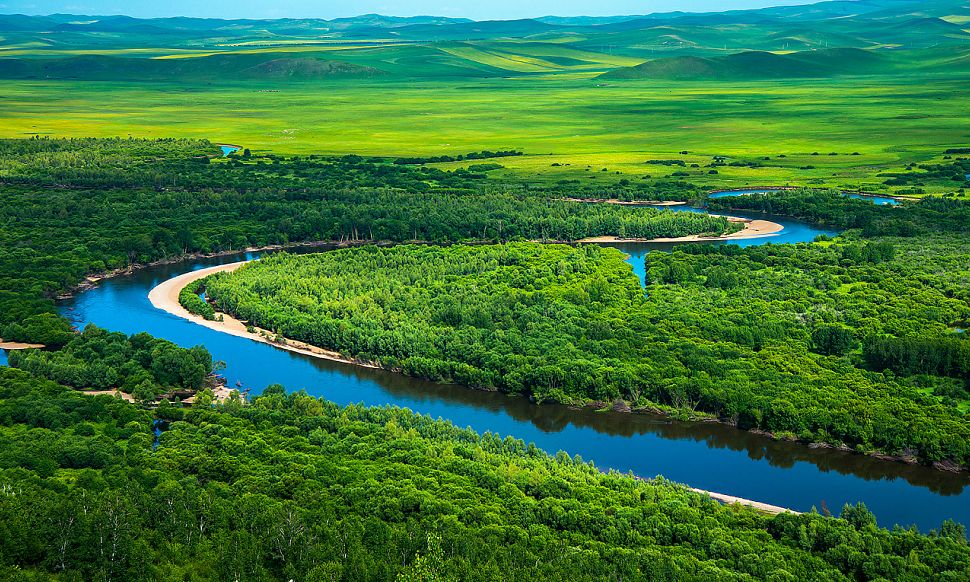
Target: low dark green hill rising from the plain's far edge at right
756, 65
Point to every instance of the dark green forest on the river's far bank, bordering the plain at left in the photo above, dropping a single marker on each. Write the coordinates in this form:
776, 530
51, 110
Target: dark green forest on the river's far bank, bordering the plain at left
73, 207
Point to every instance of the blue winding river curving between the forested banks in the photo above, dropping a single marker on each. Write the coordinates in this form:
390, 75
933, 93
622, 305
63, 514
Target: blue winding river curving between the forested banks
709, 456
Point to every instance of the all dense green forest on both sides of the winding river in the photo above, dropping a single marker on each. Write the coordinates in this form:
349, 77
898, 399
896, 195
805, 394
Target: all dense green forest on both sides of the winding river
291, 487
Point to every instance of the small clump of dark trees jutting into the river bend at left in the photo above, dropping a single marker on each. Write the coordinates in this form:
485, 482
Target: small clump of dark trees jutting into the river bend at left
140, 364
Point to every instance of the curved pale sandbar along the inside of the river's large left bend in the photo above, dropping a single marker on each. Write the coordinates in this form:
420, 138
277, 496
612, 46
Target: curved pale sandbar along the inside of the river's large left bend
166, 297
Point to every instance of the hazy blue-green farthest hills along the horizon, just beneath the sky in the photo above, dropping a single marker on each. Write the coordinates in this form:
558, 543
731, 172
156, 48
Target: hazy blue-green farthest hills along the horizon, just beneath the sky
900, 24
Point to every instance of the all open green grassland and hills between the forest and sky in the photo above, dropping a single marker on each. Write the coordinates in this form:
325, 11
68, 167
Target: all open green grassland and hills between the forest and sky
891, 85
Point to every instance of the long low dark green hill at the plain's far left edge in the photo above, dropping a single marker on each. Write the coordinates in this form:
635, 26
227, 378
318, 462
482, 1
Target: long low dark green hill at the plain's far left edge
222, 67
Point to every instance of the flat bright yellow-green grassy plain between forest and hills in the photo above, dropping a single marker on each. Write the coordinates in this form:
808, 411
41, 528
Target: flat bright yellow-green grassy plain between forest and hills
618, 125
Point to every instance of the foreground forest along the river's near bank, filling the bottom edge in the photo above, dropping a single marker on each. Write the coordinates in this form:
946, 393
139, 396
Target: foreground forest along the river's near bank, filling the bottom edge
295, 488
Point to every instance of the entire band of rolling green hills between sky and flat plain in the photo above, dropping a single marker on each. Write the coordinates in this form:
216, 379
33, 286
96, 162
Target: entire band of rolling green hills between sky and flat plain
673, 45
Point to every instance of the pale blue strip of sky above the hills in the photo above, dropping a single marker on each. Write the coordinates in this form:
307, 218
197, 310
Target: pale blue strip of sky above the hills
479, 10
